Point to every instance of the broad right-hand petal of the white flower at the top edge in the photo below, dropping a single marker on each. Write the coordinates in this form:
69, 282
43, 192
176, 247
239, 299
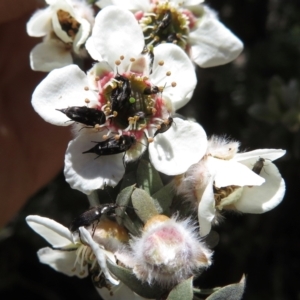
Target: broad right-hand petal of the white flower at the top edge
212, 44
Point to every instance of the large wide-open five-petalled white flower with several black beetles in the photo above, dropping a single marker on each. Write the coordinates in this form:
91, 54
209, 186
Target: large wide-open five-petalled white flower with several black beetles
135, 100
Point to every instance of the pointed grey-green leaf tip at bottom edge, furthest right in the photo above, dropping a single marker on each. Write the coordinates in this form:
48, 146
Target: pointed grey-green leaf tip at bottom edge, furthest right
233, 291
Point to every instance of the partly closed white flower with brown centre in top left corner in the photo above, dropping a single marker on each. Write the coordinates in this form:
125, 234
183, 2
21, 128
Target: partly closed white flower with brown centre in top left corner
66, 25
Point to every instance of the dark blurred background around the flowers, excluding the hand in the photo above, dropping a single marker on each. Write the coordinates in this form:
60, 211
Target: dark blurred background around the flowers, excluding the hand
255, 100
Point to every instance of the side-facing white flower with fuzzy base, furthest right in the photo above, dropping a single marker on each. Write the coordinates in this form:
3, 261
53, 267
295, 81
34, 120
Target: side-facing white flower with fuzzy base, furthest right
224, 179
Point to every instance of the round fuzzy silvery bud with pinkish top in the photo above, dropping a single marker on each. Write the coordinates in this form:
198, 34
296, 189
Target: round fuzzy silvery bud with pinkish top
168, 252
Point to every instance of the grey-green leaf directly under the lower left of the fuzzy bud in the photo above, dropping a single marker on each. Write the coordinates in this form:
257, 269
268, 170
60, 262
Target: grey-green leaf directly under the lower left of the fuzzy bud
128, 278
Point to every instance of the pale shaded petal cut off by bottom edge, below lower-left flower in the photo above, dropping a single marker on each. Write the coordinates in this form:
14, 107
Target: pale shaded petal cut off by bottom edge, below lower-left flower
119, 292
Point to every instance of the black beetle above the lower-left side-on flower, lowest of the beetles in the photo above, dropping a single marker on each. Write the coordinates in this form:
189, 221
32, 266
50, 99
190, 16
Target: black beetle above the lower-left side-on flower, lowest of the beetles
93, 215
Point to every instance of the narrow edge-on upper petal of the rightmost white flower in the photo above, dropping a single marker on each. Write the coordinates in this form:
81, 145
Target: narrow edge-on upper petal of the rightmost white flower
268, 154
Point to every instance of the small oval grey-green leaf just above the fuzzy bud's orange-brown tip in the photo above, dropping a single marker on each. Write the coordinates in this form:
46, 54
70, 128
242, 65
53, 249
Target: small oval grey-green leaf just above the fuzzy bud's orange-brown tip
144, 205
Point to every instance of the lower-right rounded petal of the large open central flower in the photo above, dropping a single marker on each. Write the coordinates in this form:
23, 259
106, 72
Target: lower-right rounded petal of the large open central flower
175, 150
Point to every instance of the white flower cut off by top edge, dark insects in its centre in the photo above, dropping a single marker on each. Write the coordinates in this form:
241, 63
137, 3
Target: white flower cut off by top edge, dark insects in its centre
189, 24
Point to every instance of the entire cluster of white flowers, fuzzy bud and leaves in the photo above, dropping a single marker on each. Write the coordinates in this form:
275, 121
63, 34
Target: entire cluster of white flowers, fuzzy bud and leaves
122, 107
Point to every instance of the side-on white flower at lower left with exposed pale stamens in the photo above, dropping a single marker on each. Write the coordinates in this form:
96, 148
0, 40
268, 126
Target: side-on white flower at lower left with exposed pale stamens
66, 256
